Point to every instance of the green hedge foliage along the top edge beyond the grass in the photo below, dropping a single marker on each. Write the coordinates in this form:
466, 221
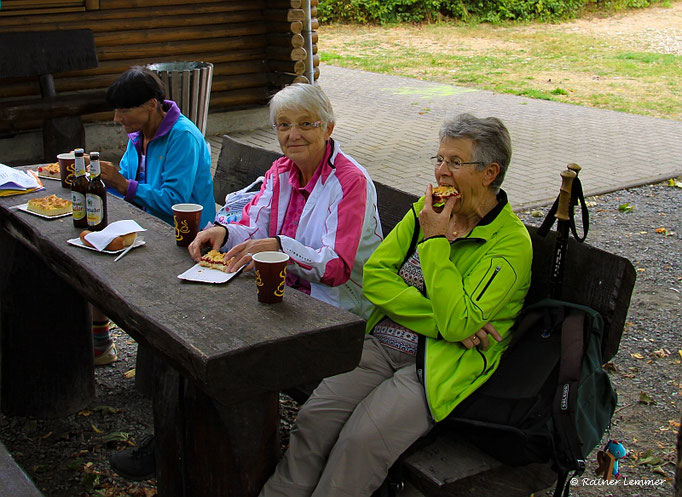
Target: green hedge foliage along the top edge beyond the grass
495, 11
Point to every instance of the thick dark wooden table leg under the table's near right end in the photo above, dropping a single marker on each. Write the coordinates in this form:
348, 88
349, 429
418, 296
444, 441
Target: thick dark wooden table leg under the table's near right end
208, 449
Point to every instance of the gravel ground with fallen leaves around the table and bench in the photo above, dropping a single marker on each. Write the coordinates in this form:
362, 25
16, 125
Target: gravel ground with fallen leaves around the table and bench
67, 457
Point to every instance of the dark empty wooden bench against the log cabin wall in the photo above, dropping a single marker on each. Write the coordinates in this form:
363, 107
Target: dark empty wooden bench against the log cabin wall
42, 54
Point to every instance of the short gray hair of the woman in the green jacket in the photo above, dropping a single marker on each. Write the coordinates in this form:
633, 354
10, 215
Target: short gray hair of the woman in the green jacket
492, 142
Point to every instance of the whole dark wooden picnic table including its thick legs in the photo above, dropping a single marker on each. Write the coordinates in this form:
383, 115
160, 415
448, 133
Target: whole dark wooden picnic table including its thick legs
226, 356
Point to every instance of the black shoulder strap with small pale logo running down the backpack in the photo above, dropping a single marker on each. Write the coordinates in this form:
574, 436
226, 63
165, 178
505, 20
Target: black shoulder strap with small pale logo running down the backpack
566, 399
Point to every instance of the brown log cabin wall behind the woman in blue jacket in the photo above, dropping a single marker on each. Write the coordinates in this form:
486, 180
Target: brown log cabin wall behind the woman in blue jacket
255, 45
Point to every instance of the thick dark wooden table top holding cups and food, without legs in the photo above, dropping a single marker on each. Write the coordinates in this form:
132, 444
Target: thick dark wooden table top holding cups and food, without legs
217, 335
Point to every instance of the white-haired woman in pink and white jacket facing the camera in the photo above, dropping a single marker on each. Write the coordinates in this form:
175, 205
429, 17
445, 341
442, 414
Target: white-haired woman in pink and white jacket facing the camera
317, 204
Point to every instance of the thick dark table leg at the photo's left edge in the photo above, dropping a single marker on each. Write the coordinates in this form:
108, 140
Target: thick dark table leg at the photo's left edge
45, 339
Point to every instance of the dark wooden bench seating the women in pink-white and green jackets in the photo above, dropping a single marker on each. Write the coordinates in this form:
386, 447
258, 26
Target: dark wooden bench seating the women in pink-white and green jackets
440, 465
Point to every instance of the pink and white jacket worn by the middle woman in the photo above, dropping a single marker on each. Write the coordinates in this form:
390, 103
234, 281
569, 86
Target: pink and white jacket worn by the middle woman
336, 229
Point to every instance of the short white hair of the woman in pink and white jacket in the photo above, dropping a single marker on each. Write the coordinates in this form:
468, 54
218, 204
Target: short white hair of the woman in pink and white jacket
302, 96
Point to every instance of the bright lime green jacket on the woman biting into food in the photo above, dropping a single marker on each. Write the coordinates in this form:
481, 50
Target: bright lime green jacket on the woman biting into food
474, 280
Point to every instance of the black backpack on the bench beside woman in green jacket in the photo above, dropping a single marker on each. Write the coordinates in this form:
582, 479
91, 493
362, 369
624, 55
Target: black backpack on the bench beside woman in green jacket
550, 399
